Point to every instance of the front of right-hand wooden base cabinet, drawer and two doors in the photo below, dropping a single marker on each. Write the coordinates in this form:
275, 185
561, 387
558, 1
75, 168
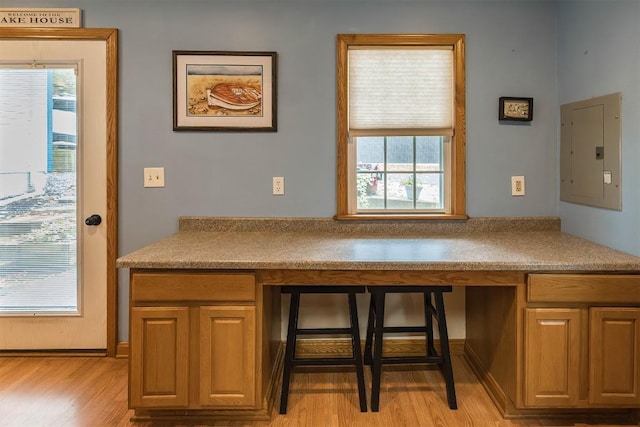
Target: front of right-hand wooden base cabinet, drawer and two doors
582, 341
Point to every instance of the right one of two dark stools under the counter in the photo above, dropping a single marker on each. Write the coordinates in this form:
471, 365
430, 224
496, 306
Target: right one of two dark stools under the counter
376, 330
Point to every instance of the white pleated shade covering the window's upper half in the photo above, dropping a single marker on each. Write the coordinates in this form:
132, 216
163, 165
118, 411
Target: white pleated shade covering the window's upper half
401, 89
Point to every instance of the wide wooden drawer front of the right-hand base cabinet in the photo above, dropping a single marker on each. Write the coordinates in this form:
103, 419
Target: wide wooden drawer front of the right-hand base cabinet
584, 288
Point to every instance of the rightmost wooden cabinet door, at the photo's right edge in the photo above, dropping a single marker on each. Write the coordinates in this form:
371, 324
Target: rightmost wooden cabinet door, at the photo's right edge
614, 356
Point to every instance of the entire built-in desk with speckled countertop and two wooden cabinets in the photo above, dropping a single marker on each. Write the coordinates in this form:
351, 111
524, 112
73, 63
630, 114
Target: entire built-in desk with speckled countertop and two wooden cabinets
526, 283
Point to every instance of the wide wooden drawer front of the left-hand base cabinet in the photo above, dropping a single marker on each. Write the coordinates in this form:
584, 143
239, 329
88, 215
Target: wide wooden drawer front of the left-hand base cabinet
192, 287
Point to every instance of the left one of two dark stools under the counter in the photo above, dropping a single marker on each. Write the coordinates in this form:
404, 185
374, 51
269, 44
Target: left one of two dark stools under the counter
290, 359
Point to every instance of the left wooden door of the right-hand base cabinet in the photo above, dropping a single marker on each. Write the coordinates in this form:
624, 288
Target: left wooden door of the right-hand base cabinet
552, 357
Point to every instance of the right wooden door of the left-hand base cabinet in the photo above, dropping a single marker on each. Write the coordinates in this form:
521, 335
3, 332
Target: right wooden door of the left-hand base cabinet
228, 356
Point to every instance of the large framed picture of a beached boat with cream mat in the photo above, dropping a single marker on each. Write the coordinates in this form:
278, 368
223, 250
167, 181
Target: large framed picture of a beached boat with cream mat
224, 91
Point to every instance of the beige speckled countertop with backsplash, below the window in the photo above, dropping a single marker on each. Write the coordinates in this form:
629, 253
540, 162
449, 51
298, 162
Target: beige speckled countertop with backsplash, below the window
522, 244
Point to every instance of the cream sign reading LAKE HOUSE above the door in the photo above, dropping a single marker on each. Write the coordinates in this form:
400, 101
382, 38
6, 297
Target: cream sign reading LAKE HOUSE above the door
38, 17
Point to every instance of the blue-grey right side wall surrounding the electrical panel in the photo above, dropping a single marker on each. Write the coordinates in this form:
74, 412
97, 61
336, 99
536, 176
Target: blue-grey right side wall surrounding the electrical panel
598, 54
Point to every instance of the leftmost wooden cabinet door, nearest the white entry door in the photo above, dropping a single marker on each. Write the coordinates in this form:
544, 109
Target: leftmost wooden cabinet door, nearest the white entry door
159, 357
